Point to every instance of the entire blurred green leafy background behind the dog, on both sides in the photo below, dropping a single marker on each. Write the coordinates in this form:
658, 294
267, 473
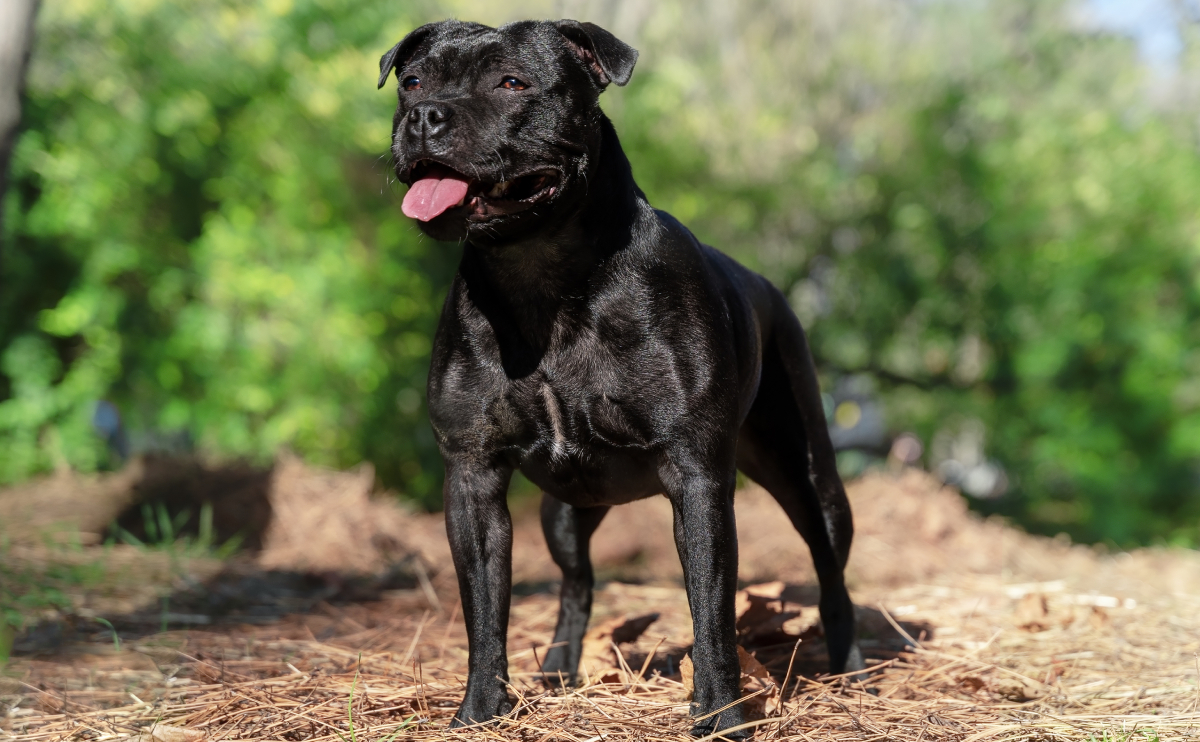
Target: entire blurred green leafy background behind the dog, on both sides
986, 213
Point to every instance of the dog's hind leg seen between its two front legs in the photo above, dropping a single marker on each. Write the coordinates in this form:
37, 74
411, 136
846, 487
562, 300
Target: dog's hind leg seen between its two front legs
568, 534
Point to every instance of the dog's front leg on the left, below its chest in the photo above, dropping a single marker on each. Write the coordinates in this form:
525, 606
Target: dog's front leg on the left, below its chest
481, 532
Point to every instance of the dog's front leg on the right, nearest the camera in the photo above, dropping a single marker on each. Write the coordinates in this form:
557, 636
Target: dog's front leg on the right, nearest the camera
709, 550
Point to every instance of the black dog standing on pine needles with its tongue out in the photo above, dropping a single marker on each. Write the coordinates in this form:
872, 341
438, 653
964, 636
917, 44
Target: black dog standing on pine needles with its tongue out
595, 344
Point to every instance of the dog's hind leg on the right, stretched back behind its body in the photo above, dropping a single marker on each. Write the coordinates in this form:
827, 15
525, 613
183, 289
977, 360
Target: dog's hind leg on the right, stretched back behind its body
784, 446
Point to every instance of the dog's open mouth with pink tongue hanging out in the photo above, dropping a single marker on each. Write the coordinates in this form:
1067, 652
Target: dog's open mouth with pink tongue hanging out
437, 189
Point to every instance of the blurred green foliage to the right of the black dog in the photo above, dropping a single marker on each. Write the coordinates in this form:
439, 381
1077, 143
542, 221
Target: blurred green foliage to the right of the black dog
1010, 241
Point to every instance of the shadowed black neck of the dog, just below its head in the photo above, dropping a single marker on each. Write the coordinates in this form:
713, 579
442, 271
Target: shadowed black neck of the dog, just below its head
523, 286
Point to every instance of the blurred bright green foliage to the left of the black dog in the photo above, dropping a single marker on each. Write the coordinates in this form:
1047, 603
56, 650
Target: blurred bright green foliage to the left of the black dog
202, 230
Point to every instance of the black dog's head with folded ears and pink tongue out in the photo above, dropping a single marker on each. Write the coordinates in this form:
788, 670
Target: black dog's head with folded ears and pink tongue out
497, 129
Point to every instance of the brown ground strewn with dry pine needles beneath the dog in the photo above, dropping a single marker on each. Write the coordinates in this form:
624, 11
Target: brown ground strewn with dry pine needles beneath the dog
343, 623
